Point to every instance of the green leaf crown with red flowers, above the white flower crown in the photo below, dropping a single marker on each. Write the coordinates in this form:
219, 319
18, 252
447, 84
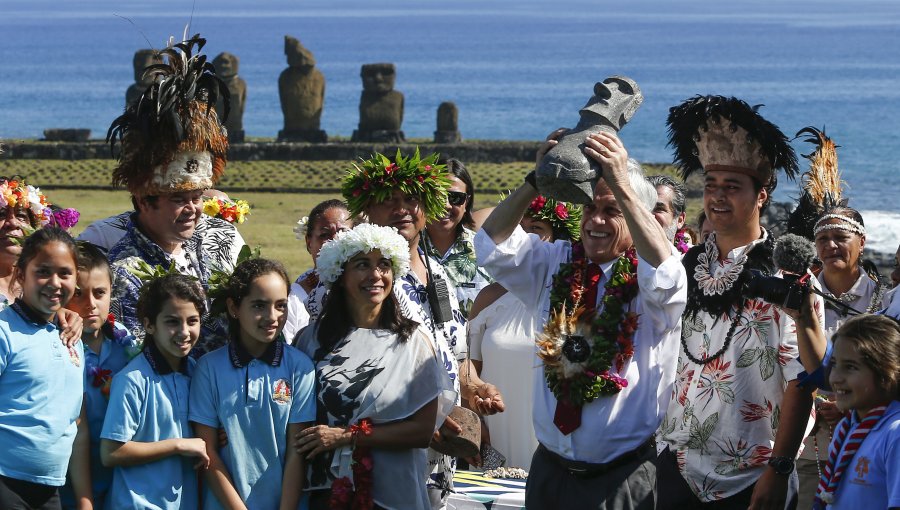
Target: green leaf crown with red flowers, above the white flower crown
373, 180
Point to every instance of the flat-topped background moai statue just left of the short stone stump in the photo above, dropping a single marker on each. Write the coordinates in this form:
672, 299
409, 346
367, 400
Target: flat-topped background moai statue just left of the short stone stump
380, 107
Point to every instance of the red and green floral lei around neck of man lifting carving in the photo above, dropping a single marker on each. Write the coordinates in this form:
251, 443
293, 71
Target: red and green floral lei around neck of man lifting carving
611, 330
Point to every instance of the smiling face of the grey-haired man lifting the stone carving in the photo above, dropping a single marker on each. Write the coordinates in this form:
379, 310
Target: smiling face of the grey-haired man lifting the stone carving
604, 232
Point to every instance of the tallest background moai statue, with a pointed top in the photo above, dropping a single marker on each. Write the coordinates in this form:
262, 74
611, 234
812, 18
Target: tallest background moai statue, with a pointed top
301, 88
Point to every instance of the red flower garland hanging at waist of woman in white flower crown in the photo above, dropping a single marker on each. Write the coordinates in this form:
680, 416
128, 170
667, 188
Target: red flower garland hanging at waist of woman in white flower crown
355, 494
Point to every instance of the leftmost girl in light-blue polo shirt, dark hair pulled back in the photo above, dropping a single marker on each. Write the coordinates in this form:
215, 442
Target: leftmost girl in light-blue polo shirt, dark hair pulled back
43, 428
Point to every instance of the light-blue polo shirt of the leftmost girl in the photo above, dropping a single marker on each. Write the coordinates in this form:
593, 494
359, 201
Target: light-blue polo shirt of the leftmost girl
40, 397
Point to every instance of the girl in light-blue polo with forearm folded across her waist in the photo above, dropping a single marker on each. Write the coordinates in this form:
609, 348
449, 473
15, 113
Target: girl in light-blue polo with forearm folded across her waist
146, 436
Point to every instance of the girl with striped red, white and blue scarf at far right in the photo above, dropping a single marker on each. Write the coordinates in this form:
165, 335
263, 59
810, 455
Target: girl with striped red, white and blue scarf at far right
865, 453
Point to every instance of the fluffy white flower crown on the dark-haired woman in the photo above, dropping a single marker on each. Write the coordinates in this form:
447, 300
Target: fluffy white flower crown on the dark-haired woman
362, 238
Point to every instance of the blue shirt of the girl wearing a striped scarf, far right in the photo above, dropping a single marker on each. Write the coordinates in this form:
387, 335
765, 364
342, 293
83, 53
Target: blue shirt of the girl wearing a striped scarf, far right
872, 480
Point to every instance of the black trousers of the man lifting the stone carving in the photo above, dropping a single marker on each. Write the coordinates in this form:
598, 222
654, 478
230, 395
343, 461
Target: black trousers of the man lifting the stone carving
629, 486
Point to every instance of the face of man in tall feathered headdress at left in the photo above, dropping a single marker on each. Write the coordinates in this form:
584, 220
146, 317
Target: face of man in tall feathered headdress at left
172, 219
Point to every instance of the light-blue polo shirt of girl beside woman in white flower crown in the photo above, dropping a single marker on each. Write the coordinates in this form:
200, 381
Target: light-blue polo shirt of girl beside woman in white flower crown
254, 400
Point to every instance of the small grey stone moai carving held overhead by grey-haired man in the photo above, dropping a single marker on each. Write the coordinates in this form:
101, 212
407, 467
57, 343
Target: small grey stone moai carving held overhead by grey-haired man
565, 173
